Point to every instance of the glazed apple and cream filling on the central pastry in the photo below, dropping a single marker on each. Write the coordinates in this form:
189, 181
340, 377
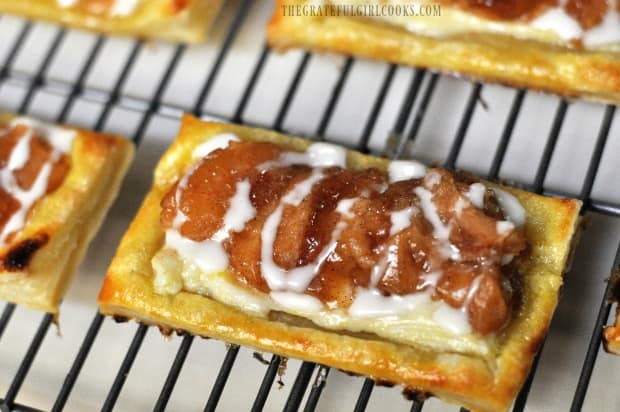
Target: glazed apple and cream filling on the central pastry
398, 253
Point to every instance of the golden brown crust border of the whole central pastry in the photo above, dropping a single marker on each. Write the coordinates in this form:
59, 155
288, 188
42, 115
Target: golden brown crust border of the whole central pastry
469, 381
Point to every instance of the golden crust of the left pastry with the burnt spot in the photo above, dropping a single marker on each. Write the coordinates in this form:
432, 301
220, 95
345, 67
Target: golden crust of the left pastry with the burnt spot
68, 218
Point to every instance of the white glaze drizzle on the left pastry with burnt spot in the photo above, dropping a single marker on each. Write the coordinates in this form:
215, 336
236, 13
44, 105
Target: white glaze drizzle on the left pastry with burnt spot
60, 140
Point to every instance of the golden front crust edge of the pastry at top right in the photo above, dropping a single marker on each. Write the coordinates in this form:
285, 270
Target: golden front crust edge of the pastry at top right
569, 72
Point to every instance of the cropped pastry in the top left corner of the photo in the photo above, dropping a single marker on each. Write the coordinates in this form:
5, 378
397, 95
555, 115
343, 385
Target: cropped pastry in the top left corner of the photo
173, 20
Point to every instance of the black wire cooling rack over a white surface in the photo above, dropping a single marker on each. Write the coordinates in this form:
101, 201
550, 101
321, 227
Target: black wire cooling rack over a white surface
542, 143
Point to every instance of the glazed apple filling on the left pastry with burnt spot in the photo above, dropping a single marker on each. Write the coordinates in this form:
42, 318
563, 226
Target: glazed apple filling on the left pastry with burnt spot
33, 163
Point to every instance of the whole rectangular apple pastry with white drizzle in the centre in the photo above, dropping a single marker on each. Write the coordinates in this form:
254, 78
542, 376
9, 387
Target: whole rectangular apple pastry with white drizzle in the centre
436, 281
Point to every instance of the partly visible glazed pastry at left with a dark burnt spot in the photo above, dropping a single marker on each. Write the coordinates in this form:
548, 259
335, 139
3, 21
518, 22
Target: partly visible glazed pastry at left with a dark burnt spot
41, 247
